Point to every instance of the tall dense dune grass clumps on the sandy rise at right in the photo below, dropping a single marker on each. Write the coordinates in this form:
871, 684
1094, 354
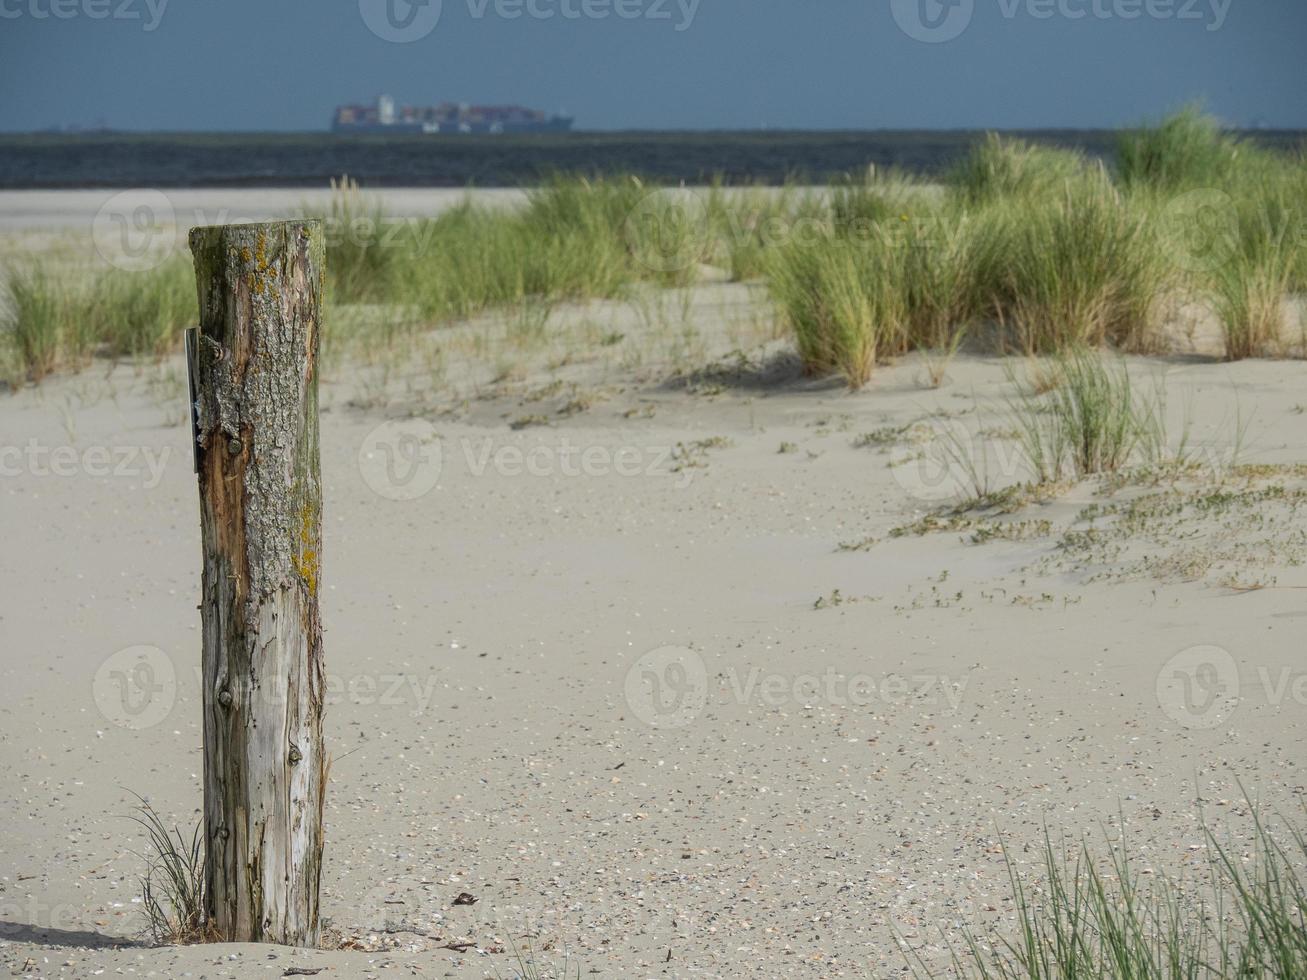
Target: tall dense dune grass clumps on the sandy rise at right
1050, 253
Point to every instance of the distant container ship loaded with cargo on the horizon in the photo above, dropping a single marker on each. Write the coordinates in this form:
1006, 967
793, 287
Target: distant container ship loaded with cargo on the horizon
385, 117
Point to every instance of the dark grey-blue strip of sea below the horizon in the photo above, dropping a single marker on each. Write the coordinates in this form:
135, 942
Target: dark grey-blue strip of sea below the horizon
310, 160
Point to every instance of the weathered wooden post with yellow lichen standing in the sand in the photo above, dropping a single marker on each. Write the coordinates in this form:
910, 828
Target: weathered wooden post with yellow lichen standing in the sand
261, 508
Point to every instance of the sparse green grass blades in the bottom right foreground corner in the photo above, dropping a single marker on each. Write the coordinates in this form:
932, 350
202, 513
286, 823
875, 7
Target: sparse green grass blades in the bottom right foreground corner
1093, 918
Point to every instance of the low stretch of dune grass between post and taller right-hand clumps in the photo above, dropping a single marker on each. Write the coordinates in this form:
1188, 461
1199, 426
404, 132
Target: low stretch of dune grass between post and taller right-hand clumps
574, 240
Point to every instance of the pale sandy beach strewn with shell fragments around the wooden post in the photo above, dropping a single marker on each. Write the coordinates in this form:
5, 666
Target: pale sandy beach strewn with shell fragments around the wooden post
638, 637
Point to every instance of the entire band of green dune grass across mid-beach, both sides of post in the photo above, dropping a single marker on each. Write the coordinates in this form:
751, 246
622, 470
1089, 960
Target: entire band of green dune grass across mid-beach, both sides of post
1037, 248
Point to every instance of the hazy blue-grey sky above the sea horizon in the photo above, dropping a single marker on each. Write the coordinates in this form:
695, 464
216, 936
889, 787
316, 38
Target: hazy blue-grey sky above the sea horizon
284, 65
